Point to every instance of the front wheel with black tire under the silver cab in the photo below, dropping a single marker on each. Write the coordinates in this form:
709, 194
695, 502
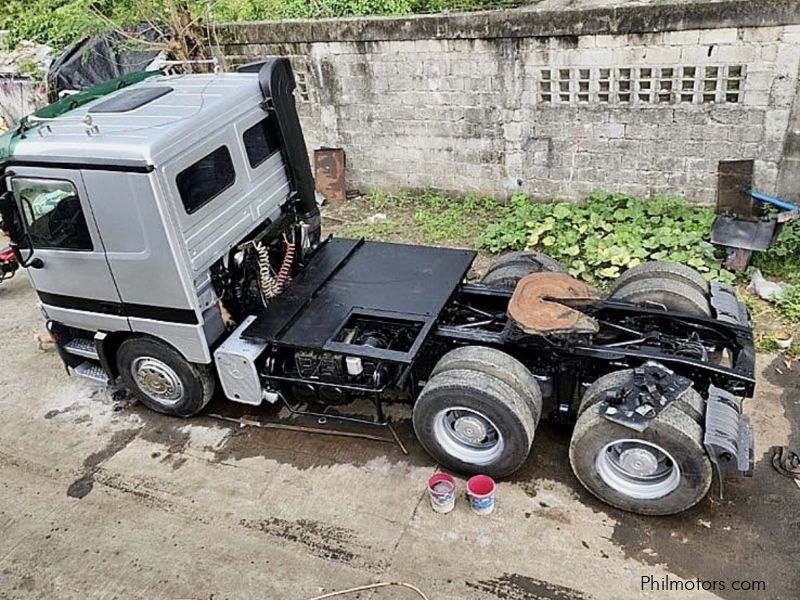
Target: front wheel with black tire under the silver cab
162, 379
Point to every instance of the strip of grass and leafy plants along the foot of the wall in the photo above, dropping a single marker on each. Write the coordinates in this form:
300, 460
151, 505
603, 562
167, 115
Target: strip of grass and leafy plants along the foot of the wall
596, 240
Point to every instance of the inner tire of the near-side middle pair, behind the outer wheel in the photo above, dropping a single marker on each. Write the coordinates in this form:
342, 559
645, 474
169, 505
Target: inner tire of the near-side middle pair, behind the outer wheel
499, 365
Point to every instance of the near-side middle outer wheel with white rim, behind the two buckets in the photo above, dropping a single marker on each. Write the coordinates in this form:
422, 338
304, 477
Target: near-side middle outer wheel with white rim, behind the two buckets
471, 422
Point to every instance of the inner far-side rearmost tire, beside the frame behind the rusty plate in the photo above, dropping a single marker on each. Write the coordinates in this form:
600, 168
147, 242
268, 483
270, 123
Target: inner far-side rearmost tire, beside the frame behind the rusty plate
658, 292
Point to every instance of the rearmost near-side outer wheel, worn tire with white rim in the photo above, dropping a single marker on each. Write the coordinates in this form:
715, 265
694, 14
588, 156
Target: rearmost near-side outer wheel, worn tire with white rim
662, 470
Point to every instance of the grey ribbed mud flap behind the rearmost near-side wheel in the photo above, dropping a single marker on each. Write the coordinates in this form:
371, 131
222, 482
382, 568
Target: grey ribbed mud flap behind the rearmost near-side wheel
728, 435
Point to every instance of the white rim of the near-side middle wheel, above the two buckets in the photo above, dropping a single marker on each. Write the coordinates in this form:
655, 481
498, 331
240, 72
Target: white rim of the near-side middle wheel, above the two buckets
468, 435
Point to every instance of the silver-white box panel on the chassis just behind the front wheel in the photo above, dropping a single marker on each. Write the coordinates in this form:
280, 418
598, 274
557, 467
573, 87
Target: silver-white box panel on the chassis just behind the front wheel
235, 361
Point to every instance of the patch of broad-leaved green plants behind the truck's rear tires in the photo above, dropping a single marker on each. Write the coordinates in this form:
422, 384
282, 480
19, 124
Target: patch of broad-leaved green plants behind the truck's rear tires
609, 233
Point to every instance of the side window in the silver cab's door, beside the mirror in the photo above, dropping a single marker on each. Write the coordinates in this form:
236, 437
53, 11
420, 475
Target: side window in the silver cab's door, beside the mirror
52, 213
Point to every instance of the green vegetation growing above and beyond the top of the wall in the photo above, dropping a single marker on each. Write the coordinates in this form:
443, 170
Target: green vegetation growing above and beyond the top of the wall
61, 22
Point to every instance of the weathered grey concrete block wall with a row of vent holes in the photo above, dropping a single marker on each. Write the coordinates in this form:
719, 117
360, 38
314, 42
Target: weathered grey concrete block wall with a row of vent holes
554, 104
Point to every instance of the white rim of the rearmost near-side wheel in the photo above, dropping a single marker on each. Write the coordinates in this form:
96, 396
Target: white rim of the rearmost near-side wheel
638, 469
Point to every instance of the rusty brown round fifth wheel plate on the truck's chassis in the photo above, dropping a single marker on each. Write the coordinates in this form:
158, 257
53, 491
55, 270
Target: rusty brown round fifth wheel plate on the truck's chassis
533, 309
